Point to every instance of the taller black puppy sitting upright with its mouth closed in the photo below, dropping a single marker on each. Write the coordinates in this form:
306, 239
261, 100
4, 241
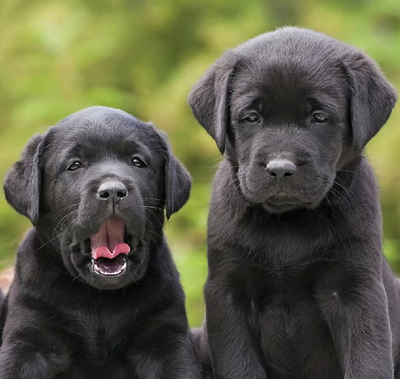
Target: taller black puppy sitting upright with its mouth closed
297, 286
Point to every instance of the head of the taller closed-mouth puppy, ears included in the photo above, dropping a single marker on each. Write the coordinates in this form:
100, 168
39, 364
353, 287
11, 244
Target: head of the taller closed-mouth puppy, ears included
289, 109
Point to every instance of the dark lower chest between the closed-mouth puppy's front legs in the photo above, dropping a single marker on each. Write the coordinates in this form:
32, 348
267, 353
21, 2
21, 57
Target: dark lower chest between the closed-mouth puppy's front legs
294, 339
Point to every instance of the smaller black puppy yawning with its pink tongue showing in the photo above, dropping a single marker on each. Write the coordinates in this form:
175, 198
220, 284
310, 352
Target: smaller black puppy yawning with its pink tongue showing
96, 293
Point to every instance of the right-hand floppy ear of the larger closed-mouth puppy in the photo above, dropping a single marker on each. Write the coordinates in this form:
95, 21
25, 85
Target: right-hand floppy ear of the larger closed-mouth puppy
372, 98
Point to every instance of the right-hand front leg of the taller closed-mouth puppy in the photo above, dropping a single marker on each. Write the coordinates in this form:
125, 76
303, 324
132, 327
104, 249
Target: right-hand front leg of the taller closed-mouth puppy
356, 311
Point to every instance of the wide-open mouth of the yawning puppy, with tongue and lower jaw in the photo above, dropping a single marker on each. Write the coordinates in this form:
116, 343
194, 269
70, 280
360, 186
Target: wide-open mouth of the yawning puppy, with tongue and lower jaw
109, 248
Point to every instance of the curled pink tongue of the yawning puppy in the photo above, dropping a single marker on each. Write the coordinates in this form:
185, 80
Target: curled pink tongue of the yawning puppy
108, 242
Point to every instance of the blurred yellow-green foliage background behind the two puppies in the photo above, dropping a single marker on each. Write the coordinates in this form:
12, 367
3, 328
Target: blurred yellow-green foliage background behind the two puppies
142, 56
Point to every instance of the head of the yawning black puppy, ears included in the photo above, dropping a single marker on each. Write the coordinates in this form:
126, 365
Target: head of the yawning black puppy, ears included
97, 185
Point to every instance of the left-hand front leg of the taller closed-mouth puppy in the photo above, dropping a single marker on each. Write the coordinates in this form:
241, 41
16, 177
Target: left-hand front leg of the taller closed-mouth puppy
232, 348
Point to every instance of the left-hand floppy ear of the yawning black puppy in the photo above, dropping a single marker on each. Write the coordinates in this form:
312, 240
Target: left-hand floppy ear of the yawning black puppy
23, 181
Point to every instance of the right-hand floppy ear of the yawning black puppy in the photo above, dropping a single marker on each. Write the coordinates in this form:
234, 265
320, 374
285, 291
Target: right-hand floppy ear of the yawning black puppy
177, 180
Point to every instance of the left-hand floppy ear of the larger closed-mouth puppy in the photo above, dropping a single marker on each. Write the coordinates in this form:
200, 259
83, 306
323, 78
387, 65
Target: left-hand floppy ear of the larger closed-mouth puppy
209, 99
